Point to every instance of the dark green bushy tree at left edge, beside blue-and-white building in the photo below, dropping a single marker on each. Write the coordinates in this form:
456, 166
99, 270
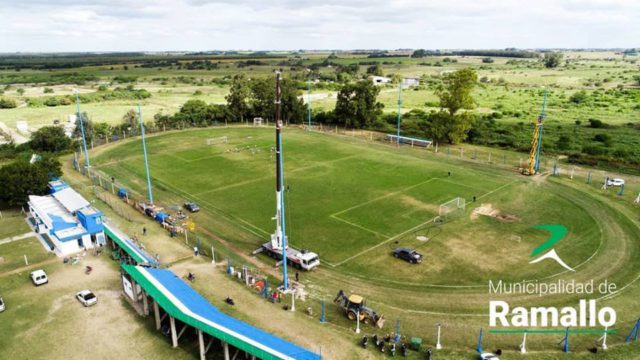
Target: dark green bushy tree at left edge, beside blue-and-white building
20, 179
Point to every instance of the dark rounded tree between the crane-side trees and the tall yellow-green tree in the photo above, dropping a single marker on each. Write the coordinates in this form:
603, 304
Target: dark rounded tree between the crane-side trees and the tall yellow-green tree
357, 105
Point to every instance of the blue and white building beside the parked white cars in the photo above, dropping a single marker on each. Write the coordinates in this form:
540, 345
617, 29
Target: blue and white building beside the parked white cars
65, 220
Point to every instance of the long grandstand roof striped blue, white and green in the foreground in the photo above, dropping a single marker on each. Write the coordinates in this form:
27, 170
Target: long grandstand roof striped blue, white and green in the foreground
185, 304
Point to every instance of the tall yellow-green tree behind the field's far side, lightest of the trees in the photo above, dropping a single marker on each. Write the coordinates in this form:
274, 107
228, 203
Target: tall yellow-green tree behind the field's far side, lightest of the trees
455, 90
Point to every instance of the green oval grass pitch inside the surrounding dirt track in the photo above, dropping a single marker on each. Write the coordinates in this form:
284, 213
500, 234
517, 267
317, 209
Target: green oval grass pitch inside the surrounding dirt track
353, 202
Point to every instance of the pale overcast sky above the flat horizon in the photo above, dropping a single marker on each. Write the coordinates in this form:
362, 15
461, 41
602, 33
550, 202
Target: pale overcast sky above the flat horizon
135, 25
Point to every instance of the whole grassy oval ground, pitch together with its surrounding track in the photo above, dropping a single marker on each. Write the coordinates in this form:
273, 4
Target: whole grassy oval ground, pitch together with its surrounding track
352, 202
